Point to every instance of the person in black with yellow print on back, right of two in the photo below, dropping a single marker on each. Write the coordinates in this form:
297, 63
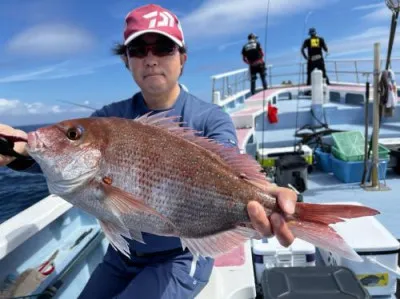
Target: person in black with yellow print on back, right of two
315, 59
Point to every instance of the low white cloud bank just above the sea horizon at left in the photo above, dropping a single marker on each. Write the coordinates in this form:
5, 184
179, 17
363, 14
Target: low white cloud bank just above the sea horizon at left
19, 108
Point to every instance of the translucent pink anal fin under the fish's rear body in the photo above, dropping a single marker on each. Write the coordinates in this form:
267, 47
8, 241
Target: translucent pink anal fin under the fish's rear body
220, 243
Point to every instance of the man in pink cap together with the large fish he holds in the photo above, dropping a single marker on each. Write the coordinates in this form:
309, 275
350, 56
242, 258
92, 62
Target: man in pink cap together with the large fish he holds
178, 207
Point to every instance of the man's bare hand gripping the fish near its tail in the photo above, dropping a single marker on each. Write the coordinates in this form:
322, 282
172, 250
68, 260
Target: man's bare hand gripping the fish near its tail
275, 225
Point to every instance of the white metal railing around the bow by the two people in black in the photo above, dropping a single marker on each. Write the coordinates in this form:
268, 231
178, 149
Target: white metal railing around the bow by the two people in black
227, 87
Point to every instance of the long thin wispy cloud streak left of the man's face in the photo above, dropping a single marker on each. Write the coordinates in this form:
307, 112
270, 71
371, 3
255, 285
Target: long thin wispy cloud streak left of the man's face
61, 70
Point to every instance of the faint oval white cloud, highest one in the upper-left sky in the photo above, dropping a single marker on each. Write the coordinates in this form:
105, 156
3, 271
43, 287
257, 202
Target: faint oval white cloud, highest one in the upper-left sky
51, 39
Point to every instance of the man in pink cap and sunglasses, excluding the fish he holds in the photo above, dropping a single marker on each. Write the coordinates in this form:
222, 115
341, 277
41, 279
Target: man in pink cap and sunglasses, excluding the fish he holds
154, 51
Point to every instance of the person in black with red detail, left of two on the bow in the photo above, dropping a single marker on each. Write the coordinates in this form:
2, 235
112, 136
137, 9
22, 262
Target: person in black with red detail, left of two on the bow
253, 55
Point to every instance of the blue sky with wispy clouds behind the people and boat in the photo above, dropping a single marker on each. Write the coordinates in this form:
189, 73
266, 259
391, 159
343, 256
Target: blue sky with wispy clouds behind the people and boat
57, 50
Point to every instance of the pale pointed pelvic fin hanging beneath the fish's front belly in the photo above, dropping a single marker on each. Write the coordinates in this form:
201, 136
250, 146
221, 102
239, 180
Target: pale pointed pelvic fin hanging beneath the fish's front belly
115, 234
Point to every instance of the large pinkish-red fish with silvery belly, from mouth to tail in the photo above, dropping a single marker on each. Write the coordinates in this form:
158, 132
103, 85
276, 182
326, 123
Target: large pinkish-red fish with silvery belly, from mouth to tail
152, 175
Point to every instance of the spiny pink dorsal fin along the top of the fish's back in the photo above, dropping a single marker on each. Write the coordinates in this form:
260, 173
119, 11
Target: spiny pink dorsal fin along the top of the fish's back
245, 166
